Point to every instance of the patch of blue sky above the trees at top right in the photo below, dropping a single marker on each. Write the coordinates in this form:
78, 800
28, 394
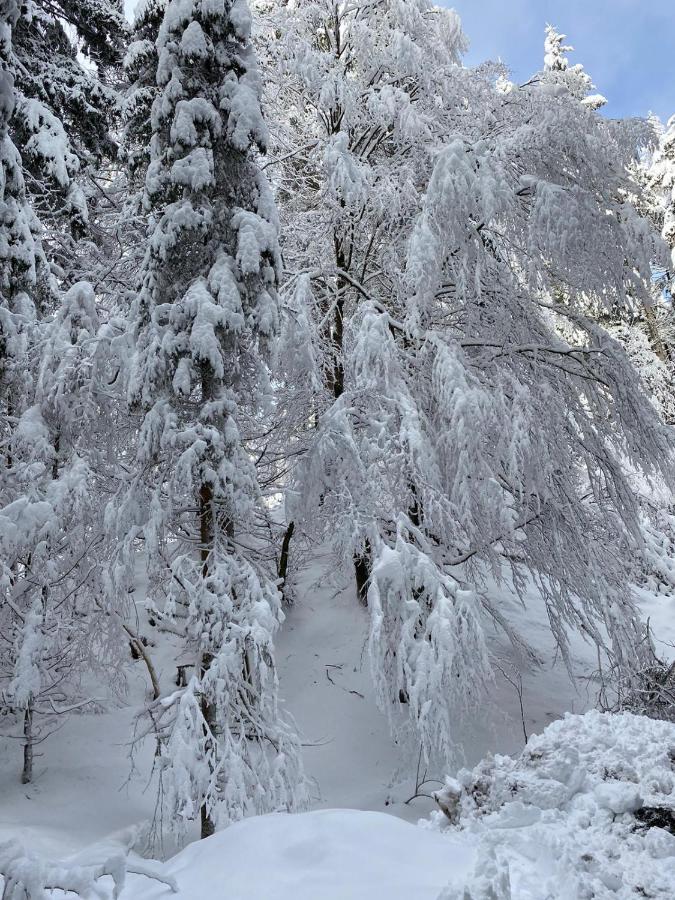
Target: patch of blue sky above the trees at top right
626, 46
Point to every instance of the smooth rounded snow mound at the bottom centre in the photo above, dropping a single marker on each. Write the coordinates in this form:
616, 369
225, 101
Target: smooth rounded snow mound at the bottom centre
323, 855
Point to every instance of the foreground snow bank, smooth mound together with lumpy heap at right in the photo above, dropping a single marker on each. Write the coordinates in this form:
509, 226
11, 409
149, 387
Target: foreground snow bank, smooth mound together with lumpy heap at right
585, 812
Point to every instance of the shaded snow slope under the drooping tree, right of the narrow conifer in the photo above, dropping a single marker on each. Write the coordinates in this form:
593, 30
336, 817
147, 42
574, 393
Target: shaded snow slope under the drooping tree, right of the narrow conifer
349, 755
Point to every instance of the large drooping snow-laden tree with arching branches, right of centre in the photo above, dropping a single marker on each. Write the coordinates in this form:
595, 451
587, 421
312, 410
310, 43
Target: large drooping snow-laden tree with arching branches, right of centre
465, 435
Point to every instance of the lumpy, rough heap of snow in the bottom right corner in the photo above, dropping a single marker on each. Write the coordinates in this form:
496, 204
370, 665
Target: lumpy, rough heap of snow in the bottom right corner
570, 818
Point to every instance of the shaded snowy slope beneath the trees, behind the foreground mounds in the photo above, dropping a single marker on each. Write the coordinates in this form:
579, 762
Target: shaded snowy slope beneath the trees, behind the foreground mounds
84, 787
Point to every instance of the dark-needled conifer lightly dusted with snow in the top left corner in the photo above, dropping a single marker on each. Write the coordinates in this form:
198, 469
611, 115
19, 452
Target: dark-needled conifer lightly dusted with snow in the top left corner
63, 115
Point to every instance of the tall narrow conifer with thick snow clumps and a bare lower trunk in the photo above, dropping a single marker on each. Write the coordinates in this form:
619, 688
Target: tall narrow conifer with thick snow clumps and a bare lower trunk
204, 316
